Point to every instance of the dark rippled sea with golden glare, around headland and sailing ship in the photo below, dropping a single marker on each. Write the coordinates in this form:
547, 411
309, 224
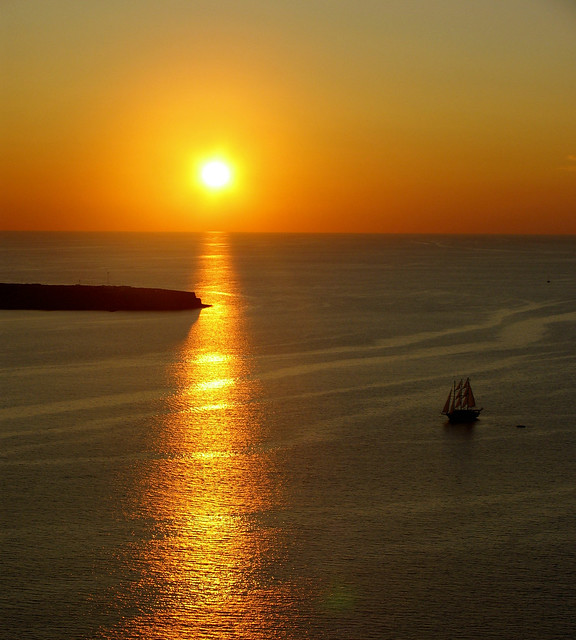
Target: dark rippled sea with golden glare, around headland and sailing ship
276, 465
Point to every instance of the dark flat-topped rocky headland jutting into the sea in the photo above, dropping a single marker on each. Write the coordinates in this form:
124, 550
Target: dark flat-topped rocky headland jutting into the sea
79, 297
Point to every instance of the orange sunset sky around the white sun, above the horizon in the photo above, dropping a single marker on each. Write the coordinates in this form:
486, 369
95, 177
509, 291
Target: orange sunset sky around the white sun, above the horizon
411, 116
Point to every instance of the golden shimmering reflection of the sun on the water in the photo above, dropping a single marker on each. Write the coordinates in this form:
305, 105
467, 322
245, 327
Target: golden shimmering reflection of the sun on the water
208, 494
